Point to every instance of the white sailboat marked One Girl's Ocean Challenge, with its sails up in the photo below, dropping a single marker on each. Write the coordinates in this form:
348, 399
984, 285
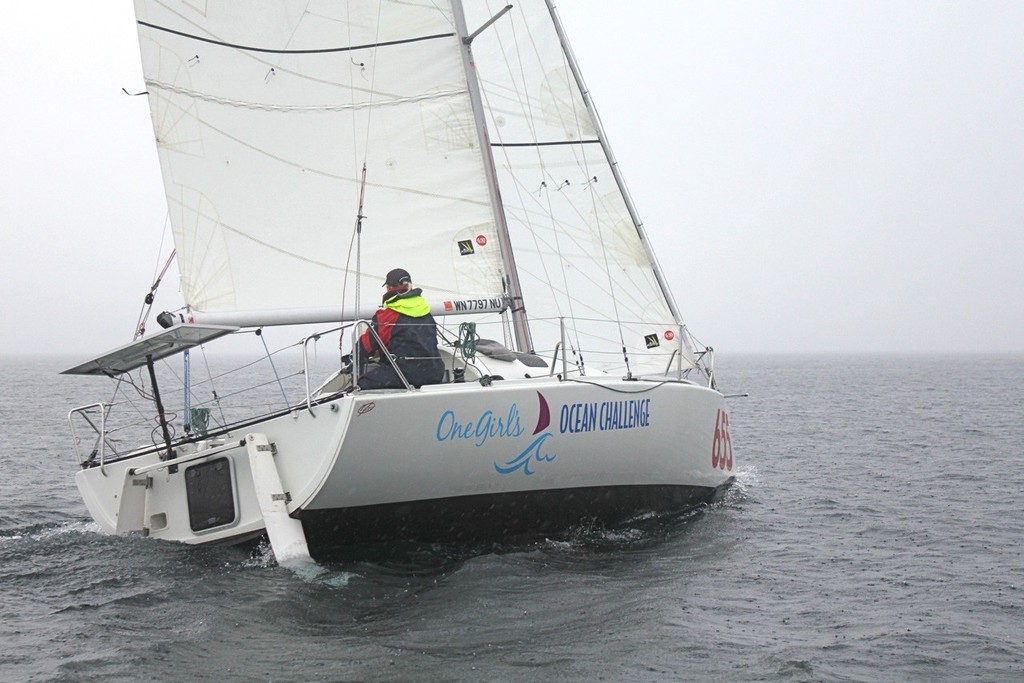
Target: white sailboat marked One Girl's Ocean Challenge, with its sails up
310, 147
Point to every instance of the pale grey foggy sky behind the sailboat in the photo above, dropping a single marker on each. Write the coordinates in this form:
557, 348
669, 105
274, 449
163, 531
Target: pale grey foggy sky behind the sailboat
817, 177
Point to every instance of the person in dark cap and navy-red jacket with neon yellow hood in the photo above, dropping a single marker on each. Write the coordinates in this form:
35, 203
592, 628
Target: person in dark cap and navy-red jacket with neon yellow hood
409, 333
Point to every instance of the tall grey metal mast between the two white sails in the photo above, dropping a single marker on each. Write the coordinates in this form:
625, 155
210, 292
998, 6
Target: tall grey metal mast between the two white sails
521, 325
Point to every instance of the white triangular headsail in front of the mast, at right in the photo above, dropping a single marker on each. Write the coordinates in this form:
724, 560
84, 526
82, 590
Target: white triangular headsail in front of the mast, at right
579, 249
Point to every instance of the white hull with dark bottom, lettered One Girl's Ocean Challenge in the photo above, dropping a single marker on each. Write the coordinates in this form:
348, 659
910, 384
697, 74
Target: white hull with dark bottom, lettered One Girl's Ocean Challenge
371, 464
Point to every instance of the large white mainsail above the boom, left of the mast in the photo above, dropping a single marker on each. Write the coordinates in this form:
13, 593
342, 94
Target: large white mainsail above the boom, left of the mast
265, 113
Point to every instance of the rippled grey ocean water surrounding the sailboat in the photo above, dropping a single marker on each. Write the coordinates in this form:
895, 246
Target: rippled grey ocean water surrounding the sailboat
875, 534
